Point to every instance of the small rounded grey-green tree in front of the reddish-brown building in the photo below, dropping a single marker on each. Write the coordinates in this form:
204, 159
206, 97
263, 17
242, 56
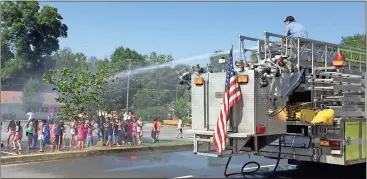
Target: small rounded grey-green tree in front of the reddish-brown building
32, 97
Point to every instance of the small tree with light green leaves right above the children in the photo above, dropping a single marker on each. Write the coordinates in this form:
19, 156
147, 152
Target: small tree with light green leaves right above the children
78, 89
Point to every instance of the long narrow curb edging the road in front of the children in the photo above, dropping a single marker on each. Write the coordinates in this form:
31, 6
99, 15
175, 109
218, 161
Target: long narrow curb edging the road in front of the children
97, 152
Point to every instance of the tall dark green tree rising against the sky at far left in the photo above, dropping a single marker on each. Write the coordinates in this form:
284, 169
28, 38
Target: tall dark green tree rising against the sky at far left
29, 34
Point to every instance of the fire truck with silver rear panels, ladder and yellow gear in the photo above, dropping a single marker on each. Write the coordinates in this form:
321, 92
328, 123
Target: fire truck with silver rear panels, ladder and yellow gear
304, 100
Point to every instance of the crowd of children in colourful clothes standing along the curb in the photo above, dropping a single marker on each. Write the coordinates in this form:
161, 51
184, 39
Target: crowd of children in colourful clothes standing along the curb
118, 131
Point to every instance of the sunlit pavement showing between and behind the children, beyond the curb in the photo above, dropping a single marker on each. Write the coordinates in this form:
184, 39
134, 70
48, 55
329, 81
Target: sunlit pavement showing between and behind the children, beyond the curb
168, 133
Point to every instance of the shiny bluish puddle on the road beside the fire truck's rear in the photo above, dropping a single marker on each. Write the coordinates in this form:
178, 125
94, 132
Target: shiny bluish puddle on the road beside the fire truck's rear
185, 159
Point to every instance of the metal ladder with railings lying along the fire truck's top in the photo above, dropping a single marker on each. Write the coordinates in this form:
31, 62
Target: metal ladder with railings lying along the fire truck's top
306, 53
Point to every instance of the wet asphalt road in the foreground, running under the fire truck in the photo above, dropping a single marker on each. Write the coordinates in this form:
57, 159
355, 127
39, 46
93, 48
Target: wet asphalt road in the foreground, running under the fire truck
167, 165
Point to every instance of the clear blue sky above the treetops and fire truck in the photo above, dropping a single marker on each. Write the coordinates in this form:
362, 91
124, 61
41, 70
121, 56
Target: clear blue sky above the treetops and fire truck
185, 29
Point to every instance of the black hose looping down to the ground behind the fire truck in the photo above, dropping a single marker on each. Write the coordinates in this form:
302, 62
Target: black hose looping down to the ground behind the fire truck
244, 174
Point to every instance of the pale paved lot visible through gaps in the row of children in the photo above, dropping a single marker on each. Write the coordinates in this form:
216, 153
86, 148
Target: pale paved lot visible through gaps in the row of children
168, 133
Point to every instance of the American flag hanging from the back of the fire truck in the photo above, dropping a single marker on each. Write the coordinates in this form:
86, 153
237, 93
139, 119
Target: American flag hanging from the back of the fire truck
232, 95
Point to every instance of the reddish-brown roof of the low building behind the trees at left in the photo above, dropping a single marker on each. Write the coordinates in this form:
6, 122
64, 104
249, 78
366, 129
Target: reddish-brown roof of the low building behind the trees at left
15, 97
